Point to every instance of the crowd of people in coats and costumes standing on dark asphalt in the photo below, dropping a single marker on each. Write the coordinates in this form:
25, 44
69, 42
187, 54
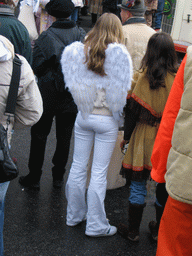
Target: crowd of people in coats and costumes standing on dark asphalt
122, 72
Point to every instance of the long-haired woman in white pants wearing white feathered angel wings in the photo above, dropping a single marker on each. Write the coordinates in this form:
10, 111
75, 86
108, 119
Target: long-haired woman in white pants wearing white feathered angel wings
98, 74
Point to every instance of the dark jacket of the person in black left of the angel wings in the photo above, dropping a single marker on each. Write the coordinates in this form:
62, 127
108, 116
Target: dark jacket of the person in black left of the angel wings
46, 64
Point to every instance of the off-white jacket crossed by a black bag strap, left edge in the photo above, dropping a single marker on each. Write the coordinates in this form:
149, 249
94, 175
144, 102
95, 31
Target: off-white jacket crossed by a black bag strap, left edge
29, 105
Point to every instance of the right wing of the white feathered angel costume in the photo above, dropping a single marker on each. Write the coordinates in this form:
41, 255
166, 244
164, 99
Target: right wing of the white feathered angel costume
119, 69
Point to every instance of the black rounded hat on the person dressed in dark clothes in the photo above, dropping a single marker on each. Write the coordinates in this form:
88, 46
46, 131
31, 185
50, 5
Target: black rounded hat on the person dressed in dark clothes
60, 8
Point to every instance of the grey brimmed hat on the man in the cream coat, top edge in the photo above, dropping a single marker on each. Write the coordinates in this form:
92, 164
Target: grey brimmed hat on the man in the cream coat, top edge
136, 7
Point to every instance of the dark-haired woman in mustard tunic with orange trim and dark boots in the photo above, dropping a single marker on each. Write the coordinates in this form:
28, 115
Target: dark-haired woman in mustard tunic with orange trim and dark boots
145, 104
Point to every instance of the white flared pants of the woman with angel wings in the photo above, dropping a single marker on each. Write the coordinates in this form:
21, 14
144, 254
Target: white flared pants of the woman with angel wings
102, 132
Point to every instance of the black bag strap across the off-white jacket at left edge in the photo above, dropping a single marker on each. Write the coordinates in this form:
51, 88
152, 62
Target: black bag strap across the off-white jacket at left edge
14, 85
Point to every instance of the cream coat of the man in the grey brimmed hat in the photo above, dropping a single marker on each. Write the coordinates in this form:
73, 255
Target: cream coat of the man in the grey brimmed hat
136, 39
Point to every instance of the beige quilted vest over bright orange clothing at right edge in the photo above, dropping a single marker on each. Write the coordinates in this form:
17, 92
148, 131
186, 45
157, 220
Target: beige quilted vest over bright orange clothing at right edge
179, 165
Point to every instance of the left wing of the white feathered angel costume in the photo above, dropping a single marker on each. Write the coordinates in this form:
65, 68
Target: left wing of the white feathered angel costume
79, 80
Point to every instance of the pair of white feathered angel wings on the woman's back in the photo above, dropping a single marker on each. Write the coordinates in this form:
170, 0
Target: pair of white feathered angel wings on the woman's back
83, 83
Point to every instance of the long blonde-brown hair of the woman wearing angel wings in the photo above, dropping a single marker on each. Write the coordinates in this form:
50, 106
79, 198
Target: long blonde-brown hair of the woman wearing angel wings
108, 29
